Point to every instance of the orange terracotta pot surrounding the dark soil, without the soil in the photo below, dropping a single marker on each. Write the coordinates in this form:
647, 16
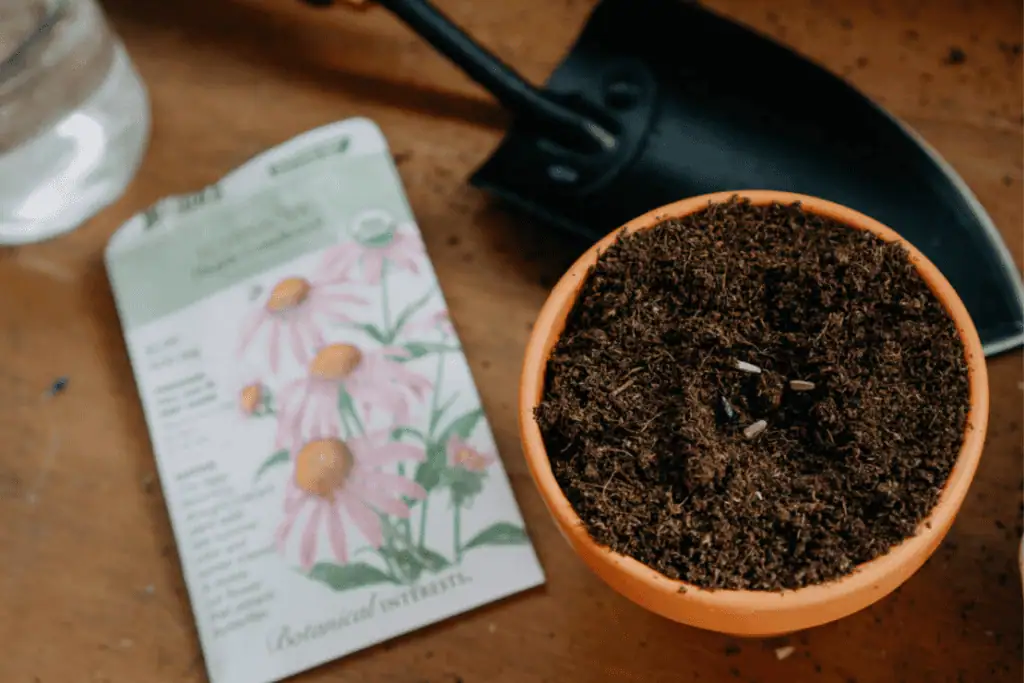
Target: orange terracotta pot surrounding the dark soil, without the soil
751, 613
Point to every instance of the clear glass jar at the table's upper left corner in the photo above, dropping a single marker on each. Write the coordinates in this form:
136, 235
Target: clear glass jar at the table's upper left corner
74, 117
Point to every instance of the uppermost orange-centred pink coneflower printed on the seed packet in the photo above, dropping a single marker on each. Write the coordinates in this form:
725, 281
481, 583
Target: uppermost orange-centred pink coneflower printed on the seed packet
295, 312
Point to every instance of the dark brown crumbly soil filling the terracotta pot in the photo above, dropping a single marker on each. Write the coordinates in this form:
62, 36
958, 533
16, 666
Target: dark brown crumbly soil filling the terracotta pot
645, 412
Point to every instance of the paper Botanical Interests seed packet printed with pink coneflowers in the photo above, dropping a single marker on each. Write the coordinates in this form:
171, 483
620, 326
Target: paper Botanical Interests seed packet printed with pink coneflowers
331, 478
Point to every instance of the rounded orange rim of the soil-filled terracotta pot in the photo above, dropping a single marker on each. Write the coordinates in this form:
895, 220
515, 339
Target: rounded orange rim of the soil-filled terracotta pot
548, 329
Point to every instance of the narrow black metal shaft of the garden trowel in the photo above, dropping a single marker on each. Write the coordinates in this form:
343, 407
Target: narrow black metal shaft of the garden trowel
528, 103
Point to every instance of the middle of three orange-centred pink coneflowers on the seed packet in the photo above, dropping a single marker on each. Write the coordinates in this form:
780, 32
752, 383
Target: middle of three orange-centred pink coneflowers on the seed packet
375, 381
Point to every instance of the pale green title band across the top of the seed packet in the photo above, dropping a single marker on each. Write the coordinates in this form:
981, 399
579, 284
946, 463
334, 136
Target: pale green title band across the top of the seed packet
238, 238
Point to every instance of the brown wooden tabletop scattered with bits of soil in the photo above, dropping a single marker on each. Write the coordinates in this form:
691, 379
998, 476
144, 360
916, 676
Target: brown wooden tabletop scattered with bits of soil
91, 587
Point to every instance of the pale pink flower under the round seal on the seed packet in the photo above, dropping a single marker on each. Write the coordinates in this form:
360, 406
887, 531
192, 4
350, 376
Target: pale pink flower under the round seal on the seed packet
379, 240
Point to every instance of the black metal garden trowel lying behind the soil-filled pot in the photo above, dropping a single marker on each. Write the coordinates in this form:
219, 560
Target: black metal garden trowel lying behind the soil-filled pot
663, 100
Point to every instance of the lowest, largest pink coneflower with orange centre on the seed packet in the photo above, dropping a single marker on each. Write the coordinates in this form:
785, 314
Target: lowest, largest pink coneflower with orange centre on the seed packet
339, 486
